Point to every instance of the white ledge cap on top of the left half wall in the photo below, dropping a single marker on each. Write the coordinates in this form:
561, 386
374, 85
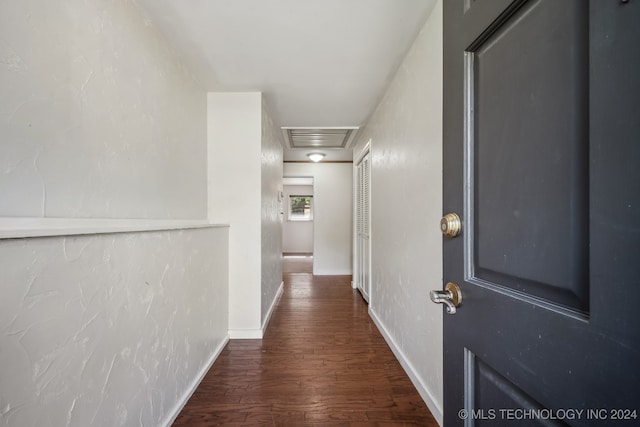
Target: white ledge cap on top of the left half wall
21, 227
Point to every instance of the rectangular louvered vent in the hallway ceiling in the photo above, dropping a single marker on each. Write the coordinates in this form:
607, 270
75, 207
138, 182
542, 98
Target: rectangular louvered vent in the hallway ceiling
334, 137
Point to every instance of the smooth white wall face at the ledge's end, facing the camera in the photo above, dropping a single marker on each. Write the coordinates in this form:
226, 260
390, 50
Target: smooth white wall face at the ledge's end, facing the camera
235, 194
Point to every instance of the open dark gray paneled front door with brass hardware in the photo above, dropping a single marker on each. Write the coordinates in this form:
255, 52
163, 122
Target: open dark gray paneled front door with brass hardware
542, 163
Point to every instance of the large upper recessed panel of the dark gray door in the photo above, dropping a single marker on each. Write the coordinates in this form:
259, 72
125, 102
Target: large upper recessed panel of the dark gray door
528, 149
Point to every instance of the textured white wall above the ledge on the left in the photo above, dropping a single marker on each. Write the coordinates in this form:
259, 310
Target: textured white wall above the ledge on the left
97, 115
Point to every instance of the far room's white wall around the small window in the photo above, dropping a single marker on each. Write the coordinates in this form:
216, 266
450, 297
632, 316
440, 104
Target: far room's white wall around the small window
297, 236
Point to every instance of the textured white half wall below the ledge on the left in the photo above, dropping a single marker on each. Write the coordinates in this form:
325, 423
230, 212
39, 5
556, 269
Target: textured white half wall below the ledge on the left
108, 329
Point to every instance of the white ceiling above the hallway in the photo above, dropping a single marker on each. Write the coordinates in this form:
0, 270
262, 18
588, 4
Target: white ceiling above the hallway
319, 63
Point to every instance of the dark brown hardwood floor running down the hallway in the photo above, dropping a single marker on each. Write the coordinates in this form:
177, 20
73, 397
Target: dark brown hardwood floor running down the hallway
322, 362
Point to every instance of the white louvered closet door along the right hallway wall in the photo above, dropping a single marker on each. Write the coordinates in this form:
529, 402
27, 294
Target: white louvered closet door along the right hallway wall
363, 248
